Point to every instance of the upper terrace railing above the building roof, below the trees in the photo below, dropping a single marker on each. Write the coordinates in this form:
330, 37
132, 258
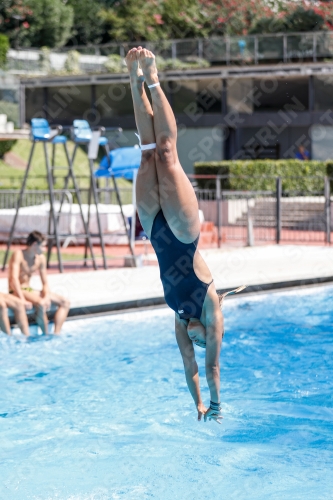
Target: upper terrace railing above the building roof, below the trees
249, 49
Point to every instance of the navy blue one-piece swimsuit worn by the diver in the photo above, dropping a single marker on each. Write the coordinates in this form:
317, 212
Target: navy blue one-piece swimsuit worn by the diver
183, 291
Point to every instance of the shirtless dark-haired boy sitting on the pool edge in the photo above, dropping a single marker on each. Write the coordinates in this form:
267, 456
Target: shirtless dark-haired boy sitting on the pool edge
22, 265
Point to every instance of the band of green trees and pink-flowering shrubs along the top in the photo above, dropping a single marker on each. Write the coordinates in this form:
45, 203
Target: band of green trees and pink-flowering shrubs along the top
54, 23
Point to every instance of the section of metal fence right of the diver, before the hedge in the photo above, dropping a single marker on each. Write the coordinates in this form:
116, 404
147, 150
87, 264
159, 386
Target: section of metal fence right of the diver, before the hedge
254, 217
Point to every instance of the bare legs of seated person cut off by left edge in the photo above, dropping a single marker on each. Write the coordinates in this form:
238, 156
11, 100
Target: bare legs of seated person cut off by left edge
18, 306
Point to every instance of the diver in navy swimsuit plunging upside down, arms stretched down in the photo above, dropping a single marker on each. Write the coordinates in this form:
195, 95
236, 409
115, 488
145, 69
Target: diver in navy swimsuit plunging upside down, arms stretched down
169, 213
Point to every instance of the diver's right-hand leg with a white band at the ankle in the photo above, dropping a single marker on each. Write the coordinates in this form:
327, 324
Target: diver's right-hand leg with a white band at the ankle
177, 196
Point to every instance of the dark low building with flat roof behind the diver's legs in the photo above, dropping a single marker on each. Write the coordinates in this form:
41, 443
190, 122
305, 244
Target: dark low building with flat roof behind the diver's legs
264, 111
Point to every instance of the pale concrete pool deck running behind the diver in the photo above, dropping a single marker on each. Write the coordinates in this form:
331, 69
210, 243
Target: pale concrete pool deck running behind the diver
261, 268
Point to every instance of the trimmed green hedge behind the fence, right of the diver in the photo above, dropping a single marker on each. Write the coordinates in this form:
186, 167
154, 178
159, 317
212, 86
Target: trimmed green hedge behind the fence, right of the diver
260, 175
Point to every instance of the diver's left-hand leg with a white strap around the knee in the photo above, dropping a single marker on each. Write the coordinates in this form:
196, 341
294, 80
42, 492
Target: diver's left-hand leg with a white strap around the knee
146, 184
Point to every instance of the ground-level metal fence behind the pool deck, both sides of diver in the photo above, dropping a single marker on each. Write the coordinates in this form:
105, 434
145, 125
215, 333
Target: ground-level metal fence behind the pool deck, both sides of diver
231, 217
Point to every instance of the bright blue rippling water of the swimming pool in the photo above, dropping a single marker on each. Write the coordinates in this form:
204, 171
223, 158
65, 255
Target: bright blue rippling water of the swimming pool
103, 412
